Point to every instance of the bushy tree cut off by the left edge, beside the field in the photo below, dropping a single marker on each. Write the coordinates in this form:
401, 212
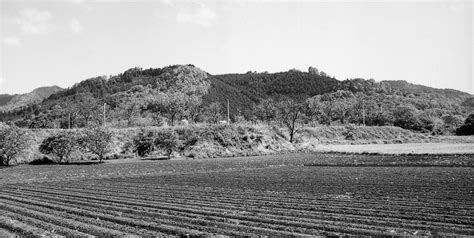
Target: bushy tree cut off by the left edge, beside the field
13, 141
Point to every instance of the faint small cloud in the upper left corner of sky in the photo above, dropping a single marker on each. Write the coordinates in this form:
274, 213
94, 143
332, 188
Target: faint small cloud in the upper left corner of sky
33, 21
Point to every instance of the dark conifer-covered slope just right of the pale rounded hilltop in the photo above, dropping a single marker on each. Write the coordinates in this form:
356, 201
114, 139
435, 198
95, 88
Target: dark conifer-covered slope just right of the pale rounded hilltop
246, 90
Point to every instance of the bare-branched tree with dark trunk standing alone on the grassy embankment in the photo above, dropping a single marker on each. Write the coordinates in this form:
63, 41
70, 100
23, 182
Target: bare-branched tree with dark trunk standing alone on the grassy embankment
290, 115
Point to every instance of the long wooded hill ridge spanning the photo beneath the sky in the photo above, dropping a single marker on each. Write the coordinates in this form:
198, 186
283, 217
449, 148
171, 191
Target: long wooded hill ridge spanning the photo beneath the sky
130, 92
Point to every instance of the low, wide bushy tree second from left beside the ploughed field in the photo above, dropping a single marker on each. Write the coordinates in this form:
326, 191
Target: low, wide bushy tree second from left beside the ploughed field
60, 145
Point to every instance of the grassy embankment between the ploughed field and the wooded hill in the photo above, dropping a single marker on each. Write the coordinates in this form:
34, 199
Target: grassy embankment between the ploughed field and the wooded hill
211, 141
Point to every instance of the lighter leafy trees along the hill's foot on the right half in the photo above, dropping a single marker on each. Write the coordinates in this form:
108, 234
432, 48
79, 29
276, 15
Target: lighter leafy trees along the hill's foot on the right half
344, 107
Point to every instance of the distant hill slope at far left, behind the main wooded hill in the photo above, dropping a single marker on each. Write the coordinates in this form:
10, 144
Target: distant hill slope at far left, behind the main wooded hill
23, 100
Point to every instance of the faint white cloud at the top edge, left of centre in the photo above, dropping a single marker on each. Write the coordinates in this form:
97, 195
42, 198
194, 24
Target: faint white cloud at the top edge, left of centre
198, 14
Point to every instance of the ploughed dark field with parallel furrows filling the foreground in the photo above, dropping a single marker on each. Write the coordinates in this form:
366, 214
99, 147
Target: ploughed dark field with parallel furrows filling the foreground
280, 195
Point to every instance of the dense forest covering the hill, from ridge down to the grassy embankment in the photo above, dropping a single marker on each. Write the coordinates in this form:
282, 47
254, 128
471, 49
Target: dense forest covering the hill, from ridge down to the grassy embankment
142, 97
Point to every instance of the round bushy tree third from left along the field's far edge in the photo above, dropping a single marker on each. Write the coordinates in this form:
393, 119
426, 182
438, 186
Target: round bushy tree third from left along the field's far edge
97, 141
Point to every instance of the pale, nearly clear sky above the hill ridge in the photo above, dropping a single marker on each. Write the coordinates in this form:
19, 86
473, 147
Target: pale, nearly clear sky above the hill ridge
46, 43
